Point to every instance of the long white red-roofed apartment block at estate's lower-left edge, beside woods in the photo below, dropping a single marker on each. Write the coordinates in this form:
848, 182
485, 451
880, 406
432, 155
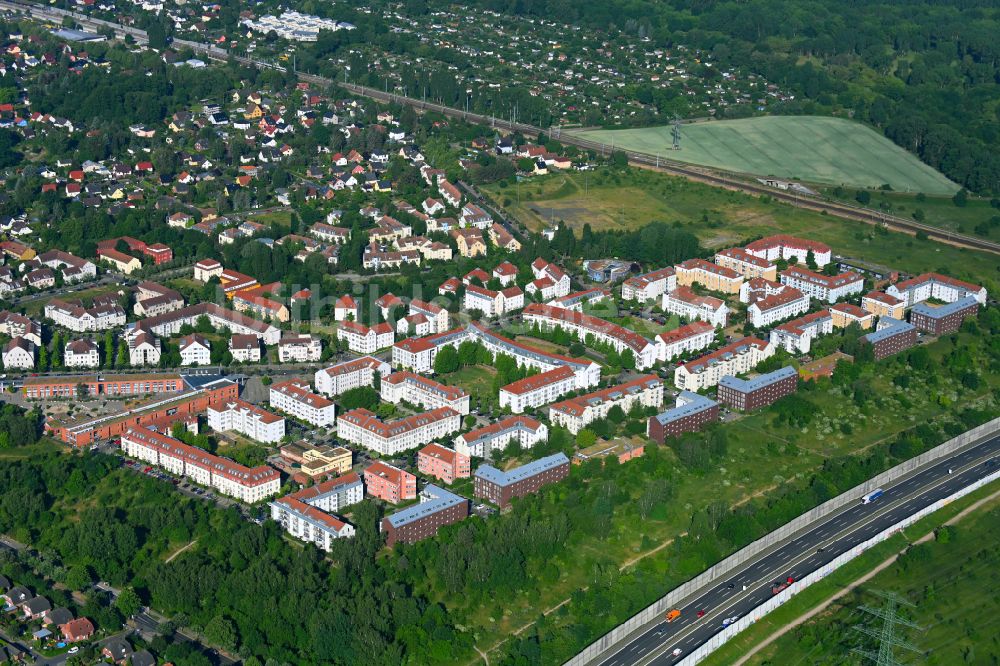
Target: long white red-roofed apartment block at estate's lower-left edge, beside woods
246, 484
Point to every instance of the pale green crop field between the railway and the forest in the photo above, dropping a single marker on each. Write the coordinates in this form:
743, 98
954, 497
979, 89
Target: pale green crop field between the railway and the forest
813, 149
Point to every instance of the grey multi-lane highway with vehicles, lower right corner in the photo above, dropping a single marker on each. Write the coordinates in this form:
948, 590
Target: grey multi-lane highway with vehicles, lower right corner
749, 586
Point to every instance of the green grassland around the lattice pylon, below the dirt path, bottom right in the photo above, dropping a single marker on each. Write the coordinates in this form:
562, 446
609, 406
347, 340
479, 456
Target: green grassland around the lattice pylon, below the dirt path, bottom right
944, 580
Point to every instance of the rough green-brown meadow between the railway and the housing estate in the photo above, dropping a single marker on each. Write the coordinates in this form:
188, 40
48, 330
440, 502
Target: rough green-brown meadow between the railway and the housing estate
721, 218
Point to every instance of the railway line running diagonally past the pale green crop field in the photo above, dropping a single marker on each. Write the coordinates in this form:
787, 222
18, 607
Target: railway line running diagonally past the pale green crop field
741, 183
